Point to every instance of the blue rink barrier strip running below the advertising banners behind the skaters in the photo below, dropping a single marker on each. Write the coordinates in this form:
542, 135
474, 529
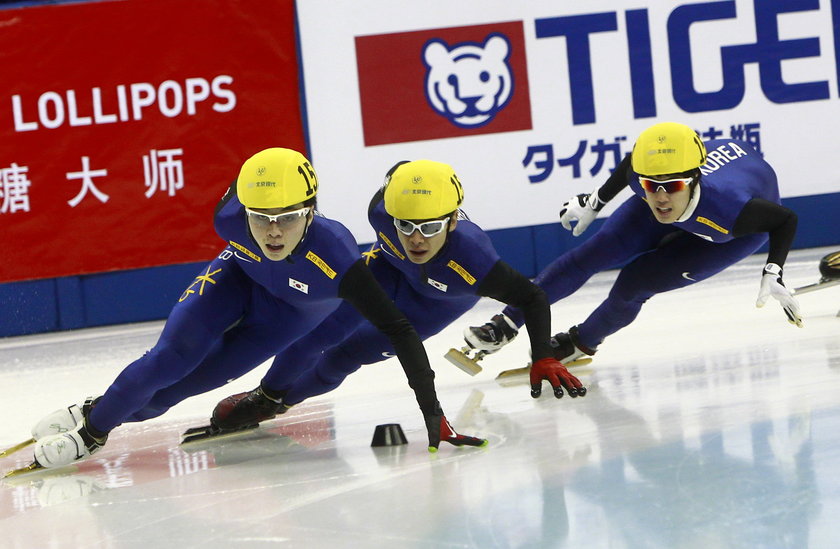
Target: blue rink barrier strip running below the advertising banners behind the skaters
140, 295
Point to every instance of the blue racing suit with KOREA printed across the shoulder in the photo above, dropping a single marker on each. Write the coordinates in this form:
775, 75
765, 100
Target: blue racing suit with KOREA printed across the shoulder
731, 211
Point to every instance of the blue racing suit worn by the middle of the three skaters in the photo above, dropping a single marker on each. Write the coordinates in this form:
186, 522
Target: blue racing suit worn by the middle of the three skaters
432, 295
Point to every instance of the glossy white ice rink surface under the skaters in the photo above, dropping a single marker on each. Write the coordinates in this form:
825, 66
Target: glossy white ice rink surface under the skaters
708, 424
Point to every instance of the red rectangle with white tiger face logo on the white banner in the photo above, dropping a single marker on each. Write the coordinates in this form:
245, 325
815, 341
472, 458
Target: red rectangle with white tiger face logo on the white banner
439, 83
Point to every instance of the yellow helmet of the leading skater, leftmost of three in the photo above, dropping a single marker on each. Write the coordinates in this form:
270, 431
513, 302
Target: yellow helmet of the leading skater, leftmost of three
276, 178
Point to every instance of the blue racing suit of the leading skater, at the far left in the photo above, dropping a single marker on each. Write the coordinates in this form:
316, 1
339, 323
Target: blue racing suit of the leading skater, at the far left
243, 309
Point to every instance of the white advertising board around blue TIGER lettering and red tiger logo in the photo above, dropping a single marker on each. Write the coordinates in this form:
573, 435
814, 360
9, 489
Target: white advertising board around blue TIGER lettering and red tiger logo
490, 165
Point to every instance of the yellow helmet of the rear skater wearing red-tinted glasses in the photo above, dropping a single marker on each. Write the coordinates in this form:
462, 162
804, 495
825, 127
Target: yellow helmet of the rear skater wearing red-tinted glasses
668, 148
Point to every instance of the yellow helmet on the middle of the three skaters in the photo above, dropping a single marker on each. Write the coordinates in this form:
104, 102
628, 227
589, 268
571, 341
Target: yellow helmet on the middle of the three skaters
423, 189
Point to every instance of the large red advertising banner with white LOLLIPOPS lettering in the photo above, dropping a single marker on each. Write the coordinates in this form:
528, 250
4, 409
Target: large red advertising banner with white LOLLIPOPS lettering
122, 123
